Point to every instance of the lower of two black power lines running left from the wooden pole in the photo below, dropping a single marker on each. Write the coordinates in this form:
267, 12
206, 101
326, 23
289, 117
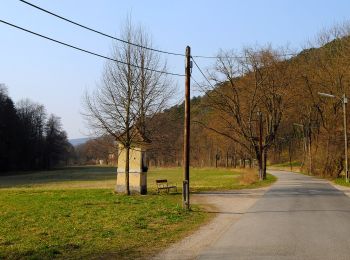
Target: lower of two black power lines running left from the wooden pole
89, 52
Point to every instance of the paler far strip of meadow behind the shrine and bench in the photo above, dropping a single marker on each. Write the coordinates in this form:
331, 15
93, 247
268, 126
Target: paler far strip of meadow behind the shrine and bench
201, 179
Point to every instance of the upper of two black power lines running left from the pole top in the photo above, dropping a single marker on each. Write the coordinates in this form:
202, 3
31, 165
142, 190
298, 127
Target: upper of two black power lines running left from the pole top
99, 32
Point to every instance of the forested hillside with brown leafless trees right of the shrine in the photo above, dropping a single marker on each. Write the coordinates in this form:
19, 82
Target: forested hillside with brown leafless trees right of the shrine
310, 129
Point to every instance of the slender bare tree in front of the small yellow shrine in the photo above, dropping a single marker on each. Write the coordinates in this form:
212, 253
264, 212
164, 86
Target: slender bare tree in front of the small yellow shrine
130, 92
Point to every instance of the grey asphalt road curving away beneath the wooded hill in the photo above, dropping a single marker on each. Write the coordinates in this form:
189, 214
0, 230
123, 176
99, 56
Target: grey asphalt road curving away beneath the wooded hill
300, 217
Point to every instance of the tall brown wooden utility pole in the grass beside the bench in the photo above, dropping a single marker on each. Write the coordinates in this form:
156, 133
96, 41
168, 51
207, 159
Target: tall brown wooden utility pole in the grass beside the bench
186, 182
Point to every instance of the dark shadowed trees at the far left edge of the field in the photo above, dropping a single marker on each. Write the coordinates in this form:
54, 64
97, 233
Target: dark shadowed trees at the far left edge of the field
29, 138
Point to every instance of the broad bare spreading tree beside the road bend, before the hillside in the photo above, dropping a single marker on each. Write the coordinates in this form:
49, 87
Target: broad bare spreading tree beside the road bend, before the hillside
249, 98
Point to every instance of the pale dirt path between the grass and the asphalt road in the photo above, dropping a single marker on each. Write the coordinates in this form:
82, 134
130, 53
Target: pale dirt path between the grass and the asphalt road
228, 206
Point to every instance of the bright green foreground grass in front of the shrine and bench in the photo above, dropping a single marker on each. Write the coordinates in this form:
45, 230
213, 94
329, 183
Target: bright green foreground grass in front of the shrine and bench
90, 223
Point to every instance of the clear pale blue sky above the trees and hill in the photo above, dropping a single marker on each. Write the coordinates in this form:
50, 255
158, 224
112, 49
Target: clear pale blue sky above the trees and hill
57, 76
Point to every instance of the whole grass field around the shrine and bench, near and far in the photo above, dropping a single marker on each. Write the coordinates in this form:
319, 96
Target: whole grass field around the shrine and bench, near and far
73, 213
